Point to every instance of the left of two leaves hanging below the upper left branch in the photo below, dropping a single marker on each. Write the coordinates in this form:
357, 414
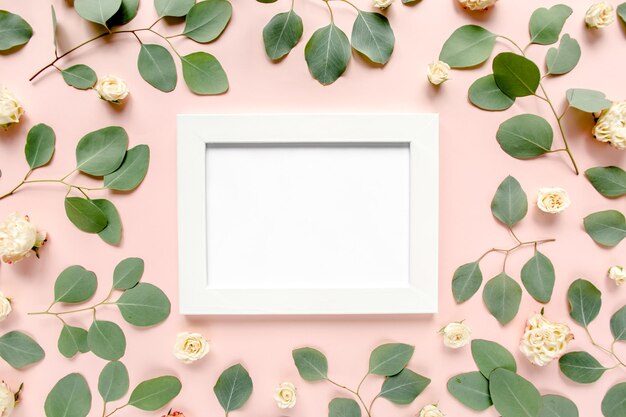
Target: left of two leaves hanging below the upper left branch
156, 66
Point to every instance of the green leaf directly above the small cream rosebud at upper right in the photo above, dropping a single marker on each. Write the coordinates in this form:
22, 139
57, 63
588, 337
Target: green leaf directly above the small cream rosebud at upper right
468, 46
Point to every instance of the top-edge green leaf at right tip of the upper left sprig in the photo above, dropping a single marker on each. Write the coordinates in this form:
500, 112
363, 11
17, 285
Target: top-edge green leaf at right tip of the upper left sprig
207, 20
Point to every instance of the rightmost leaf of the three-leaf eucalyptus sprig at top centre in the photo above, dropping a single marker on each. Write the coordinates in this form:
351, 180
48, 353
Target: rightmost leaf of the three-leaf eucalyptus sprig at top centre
373, 37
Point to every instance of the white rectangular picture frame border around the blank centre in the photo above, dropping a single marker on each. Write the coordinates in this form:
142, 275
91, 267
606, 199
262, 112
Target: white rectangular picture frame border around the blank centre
197, 134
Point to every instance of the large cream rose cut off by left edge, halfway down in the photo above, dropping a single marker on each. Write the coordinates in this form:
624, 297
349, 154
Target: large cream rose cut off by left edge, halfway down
19, 238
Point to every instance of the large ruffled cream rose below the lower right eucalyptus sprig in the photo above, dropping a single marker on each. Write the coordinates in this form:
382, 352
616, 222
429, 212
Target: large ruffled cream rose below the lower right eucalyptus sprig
544, 341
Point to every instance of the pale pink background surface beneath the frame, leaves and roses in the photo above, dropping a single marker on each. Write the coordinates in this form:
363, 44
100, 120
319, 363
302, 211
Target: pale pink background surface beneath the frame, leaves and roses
472, 165
